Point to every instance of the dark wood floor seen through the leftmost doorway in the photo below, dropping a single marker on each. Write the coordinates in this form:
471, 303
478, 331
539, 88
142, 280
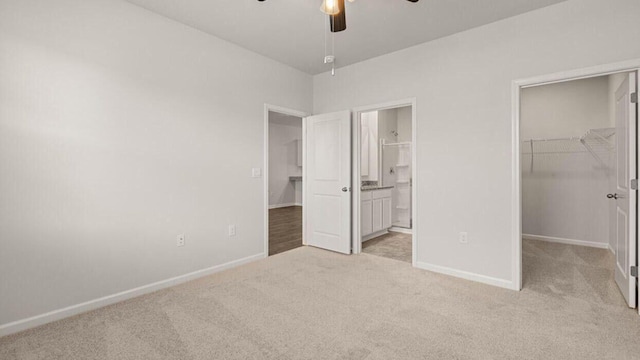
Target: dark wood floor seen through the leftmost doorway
285, 229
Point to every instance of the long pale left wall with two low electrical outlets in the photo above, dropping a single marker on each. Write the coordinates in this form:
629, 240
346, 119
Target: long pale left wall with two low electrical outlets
120, 129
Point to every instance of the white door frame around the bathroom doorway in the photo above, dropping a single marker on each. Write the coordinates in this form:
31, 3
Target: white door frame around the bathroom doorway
356, 245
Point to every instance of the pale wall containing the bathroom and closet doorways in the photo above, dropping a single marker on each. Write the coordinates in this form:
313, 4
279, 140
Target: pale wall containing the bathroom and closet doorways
462, 85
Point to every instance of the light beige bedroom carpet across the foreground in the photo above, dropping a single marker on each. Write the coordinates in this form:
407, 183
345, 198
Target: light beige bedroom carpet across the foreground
313, 304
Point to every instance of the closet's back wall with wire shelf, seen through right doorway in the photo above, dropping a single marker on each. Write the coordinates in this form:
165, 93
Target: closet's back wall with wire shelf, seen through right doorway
564, 193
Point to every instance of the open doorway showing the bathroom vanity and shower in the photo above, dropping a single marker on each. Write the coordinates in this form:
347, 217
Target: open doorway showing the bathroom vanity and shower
386, 182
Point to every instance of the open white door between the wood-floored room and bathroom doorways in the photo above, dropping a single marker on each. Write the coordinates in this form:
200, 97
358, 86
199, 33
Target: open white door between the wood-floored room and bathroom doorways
328, 178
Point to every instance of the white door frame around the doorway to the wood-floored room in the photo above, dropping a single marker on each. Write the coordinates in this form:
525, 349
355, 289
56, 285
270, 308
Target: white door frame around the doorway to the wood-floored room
265, 170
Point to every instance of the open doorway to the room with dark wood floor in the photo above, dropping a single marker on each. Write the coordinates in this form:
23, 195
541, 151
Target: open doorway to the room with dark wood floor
284, 182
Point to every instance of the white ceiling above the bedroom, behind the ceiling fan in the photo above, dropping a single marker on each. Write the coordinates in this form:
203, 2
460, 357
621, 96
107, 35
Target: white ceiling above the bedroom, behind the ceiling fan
293, 31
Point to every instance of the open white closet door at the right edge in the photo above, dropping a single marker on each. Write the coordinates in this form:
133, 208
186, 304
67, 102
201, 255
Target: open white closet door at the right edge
624, 197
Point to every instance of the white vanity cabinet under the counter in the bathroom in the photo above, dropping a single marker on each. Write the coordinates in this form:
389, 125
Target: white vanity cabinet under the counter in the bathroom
375, 211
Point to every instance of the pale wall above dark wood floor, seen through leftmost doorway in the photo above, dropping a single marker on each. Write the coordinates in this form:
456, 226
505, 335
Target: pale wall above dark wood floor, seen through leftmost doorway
283, 161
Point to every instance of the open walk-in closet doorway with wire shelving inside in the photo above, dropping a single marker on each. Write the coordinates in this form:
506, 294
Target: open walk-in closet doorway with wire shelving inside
578, 165
